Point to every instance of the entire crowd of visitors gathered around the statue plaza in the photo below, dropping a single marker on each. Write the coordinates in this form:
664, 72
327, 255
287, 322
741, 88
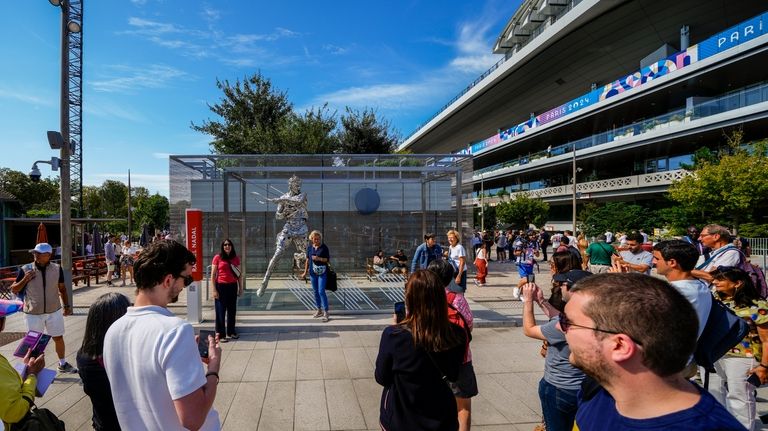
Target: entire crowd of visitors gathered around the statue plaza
618, 342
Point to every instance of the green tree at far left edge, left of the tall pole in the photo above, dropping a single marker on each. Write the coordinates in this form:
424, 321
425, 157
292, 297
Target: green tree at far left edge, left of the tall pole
41, 196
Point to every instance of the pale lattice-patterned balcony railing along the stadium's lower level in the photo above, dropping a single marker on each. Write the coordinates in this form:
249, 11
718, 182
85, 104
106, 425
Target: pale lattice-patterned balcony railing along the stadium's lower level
630, 184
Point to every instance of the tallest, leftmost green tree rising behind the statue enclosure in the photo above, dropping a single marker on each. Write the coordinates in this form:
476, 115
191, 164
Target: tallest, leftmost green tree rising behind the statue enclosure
252, 114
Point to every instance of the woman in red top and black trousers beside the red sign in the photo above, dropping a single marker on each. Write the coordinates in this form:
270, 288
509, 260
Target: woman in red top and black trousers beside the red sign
225, 279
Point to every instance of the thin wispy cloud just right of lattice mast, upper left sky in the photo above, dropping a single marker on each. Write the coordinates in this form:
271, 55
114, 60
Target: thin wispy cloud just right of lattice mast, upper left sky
130, 79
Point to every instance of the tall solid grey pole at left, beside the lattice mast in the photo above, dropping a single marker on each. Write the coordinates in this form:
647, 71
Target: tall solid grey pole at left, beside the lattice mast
65, 217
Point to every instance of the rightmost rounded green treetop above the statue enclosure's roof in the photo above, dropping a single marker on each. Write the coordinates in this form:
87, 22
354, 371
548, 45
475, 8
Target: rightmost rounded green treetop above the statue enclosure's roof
362, 132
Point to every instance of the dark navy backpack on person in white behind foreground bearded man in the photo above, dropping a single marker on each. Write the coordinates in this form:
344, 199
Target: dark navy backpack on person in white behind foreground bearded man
723, 330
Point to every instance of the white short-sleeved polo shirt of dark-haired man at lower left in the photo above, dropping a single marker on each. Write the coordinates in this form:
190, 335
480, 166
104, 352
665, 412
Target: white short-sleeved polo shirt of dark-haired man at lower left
151, 359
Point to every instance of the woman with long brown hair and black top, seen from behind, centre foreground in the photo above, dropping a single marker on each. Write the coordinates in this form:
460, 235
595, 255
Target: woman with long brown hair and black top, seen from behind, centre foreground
417, 358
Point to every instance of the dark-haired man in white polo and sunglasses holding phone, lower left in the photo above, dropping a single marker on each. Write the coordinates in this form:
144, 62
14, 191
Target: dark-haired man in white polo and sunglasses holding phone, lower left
152, 359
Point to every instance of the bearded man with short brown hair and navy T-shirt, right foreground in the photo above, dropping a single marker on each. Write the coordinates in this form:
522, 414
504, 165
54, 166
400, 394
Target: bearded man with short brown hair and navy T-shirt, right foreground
634, 335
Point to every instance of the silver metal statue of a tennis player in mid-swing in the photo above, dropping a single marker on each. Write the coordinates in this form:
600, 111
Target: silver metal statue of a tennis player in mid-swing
291, 207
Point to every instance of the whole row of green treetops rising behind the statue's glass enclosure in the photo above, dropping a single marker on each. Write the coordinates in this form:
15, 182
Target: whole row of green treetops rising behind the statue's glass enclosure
254, 117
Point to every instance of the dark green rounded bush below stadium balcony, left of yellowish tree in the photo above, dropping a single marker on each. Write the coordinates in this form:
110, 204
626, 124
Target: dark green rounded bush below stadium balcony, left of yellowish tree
616, 217
